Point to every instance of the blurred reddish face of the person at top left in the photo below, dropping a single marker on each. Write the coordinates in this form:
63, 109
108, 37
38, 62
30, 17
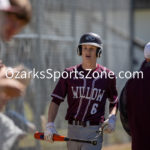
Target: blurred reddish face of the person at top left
11, 25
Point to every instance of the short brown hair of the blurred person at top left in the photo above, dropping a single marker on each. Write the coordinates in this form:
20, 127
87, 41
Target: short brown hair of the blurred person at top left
21, 8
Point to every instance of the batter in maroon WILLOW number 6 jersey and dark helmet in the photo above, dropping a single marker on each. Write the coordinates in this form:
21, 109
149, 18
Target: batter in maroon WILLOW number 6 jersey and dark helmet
86, 97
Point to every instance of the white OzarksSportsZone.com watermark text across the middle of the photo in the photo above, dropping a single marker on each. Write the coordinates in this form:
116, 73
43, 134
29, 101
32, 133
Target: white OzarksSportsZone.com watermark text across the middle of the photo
55, 75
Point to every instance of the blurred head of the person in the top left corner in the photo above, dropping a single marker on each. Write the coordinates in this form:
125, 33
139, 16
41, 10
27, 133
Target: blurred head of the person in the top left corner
14, 15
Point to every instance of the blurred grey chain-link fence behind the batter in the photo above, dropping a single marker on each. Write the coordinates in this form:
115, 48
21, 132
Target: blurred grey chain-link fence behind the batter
50, 42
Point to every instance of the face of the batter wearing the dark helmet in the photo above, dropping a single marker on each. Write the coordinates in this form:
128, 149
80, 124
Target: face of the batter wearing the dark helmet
89, 53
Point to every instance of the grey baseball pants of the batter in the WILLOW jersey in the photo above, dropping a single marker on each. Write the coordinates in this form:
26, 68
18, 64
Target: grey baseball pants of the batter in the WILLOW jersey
86, 133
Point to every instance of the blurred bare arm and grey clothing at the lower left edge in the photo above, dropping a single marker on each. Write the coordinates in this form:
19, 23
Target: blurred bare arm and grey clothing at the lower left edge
14, 126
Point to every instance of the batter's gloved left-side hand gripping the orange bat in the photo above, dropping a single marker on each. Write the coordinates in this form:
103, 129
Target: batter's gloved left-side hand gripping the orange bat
50, 130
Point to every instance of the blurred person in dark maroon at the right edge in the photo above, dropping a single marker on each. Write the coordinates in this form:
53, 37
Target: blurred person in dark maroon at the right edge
134, 105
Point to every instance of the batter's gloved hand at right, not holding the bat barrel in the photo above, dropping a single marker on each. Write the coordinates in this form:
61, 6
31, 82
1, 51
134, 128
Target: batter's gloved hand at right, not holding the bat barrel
109, 124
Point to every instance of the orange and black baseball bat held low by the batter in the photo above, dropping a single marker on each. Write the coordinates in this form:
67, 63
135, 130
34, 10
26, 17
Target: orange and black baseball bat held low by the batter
56, 137
